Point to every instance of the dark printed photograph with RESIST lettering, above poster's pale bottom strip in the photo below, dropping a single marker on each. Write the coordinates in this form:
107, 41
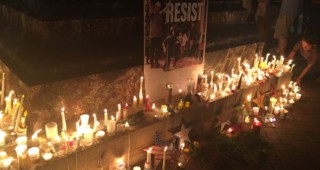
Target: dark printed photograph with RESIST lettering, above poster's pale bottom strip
174, 33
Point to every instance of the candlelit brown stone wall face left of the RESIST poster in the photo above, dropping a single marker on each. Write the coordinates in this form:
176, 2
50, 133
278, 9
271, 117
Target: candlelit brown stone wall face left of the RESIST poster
88, 94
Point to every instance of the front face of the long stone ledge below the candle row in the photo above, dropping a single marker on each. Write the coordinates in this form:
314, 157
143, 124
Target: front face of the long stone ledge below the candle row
107, 150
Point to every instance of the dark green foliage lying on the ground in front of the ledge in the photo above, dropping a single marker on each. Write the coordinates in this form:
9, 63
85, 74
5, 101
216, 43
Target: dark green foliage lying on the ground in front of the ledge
240, 150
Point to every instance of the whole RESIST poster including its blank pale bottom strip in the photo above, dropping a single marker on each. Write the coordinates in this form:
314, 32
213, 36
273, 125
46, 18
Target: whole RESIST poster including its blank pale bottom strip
174, 43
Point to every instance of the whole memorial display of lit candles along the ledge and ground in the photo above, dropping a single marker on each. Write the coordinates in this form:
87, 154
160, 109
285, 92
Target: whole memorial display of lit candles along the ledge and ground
220, 85
